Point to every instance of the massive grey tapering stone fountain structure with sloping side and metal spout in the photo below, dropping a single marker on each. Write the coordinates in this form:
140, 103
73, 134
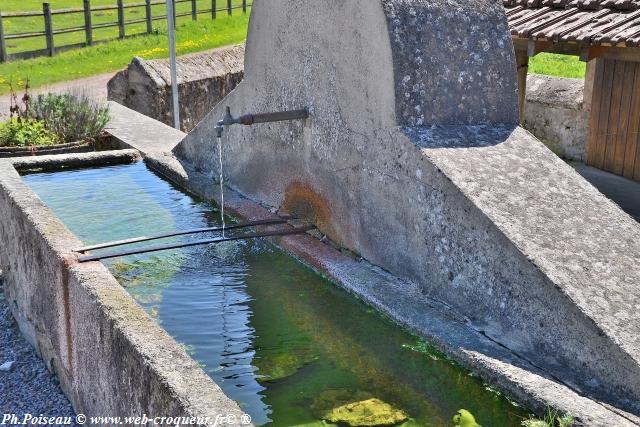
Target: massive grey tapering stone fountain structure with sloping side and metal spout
412, 158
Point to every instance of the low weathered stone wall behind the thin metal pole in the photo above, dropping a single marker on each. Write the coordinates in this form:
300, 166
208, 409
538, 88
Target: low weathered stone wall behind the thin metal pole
204, 78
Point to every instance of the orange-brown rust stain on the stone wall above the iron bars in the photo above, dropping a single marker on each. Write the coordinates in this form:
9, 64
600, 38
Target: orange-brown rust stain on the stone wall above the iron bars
302, 201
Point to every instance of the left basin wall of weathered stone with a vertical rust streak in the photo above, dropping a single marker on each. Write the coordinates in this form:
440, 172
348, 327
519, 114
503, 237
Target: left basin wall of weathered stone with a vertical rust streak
111, 358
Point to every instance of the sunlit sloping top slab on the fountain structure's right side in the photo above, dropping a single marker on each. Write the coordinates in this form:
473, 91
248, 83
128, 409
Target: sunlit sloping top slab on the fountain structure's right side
563, 233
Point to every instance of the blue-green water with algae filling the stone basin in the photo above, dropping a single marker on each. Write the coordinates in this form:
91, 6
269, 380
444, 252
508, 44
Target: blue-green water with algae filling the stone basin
289, 346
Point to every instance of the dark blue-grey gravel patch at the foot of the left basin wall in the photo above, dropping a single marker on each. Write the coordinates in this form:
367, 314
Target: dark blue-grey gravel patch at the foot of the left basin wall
28, 387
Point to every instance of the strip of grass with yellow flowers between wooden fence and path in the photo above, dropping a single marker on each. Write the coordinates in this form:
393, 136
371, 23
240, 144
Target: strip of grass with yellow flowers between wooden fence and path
190, 37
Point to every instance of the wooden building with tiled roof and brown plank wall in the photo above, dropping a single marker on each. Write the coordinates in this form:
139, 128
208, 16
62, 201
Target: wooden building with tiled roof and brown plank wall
606, 35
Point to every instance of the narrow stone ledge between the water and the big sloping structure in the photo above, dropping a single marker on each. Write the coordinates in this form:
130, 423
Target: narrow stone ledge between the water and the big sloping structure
405, 303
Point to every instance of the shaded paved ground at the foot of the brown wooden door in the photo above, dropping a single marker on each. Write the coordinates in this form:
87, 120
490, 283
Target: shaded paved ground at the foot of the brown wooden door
623, 191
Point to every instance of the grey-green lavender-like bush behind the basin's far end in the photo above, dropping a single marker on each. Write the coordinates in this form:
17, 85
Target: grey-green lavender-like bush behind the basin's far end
71, 117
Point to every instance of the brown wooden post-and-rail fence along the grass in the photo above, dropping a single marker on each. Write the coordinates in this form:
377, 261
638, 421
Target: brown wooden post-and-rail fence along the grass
49, 32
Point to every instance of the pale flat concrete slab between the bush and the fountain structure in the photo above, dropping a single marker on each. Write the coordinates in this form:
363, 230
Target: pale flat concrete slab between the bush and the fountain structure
131, 129
